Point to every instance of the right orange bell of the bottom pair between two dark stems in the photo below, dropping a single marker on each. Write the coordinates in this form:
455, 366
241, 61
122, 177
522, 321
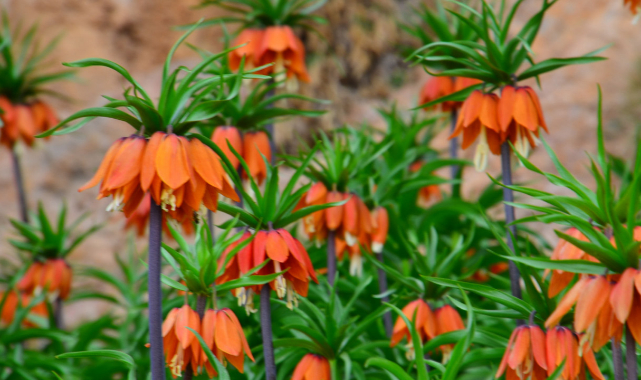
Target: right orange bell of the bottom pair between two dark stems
225, 337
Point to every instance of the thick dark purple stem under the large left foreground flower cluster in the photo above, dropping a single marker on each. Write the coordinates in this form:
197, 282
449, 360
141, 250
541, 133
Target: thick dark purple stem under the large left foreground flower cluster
155, 294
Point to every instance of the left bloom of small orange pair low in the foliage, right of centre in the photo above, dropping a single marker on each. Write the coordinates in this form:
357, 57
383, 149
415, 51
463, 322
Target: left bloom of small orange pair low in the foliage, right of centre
424, 323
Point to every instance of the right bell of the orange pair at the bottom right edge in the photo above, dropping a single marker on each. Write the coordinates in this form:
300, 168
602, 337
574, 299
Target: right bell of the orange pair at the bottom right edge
562, 345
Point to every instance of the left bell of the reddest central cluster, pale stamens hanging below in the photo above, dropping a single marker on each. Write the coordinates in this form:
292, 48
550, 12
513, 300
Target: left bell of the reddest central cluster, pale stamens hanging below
240, 264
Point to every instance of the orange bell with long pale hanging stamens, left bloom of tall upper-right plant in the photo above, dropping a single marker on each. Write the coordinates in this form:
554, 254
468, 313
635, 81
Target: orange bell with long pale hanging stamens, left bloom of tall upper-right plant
478, 119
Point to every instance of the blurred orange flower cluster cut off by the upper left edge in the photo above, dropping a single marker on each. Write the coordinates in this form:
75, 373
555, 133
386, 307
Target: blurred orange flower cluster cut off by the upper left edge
24, 121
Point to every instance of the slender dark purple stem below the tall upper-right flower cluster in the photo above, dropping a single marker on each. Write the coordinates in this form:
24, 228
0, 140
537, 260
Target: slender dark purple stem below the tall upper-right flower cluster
508, 196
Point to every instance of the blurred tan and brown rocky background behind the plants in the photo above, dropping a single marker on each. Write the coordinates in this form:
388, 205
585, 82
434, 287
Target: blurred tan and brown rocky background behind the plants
358, 65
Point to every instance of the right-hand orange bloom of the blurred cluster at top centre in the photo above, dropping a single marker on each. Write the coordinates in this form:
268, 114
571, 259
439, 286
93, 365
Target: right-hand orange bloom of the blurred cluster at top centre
281, 46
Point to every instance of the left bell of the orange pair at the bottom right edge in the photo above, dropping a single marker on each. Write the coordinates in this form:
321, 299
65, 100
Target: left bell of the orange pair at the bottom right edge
525, 355
